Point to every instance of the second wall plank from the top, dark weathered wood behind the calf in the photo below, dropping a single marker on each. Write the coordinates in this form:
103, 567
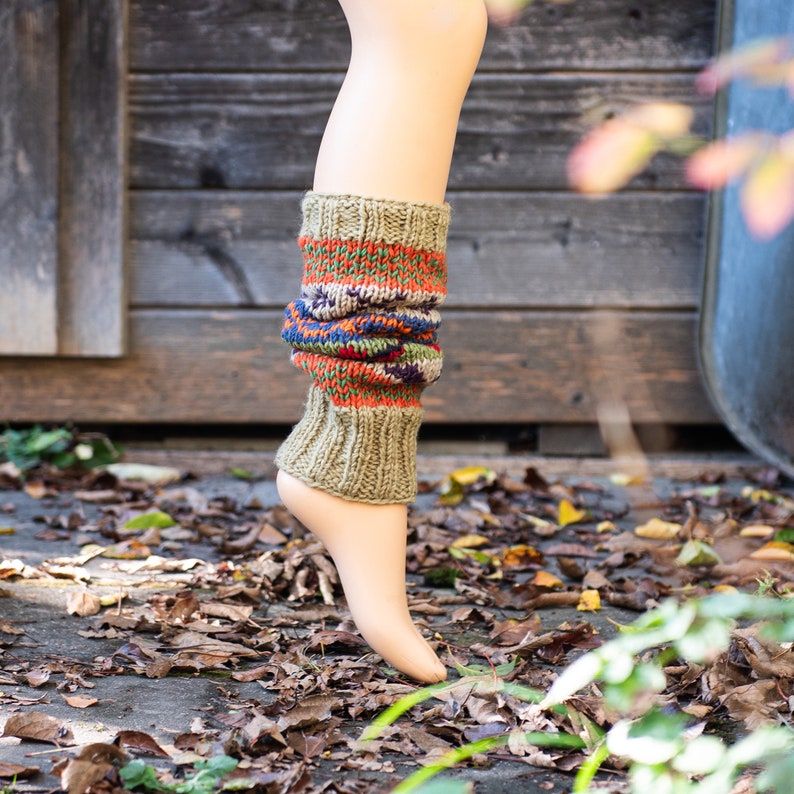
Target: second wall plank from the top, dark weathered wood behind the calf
263, 130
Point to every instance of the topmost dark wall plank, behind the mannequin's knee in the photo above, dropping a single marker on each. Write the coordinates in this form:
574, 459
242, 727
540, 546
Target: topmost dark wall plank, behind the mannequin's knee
236, 35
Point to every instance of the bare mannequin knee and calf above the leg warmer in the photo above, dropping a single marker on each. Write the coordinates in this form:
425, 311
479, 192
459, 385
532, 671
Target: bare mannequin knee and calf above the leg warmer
392, 128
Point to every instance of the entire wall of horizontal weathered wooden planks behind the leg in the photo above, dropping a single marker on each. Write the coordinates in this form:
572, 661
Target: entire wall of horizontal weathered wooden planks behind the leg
556, 302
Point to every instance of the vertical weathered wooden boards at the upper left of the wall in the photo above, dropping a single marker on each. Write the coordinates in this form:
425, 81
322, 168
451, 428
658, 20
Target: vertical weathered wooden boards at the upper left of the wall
63, 167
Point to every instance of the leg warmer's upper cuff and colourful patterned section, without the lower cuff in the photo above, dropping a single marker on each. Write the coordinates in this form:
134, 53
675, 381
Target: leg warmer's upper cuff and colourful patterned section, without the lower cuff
365, 326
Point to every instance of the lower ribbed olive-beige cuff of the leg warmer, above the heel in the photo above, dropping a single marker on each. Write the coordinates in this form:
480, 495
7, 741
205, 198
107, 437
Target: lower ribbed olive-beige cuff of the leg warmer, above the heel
362, 455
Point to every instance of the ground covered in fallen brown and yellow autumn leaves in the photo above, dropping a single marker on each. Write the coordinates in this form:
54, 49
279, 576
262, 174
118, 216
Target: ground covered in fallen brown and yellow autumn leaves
180, 622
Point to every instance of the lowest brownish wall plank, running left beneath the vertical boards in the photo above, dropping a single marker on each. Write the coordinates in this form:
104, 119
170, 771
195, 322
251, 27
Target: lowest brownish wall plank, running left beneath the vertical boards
230, 366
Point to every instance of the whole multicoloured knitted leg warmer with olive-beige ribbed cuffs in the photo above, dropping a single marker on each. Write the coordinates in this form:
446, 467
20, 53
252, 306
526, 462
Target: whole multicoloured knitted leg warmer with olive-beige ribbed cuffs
365, 329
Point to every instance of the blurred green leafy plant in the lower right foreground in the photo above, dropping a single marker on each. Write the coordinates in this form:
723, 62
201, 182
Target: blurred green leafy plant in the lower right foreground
664, 751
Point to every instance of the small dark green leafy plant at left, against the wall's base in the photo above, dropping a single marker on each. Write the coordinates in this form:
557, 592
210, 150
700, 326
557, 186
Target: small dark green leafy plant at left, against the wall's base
59, 447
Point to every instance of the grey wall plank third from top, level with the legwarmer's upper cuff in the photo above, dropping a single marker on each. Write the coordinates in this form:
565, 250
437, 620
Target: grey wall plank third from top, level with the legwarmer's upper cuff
527, 250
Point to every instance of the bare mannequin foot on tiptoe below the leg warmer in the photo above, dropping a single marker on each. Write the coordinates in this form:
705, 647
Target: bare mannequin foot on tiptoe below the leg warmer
367, 544
